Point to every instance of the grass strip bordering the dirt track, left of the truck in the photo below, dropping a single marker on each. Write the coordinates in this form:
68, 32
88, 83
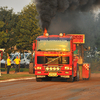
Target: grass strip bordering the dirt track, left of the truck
15, 76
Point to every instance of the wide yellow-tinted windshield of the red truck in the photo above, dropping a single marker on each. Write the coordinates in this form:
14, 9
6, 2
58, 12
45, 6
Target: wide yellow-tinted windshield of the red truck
53, 45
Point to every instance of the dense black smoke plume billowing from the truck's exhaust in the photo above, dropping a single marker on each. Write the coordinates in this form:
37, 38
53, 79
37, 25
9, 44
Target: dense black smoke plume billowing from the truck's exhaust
47, 9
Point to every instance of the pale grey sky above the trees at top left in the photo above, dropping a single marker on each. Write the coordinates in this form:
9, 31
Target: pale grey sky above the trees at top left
17, 5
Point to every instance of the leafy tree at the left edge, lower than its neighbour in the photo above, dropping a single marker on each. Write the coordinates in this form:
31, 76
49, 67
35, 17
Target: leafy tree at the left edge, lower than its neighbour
7, 22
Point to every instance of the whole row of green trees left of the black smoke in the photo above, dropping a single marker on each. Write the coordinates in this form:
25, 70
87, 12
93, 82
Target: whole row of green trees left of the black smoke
19, 29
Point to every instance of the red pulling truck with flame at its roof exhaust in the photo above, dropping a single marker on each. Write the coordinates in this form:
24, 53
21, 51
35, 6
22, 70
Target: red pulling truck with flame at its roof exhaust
54, 57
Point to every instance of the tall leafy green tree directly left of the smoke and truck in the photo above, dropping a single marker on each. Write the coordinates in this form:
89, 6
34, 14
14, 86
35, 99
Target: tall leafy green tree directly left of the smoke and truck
27, 28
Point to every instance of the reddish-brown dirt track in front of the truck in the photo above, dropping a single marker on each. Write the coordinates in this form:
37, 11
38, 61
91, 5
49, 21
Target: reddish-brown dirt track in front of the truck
57, 89
